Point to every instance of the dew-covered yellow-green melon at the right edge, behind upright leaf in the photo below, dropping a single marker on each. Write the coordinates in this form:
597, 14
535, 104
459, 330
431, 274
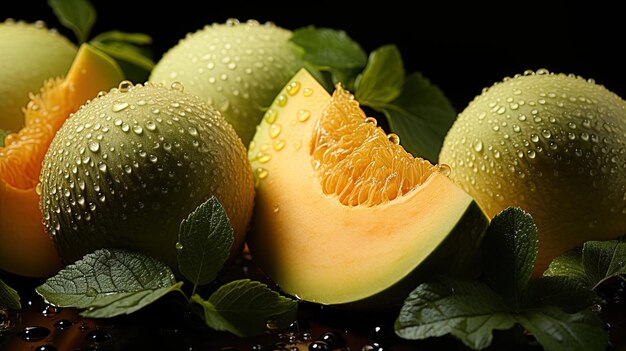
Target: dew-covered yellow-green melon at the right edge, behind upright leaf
552, 144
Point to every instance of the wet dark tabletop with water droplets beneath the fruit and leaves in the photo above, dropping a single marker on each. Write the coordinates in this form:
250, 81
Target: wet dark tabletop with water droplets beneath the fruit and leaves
164, 325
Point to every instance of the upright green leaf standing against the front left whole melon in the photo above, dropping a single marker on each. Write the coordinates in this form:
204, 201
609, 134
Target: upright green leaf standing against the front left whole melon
204, 242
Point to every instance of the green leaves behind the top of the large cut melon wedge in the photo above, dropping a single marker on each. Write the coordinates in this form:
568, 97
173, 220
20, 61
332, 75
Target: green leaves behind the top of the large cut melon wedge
415, 109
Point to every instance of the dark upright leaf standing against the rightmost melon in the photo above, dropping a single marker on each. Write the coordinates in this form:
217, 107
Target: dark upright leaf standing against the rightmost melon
509, 251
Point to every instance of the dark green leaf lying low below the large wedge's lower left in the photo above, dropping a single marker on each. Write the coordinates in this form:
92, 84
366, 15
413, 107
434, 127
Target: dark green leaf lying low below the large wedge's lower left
244, 308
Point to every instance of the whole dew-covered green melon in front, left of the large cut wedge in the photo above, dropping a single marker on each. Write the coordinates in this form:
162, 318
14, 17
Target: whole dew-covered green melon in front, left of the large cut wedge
126, 168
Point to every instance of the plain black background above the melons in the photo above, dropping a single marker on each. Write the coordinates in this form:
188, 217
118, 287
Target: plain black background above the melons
460, 47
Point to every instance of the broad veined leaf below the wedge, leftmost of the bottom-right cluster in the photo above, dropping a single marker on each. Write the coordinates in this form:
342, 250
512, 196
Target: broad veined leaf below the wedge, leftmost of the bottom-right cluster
469, 310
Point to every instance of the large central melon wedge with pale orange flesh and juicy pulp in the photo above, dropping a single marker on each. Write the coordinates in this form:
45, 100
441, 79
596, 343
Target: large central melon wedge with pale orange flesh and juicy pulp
329, 226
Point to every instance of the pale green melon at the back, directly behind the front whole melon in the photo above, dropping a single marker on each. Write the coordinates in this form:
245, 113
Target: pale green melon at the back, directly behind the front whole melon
236, 67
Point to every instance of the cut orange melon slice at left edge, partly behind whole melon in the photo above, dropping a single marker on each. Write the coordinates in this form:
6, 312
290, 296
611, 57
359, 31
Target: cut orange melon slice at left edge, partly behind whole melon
25, 248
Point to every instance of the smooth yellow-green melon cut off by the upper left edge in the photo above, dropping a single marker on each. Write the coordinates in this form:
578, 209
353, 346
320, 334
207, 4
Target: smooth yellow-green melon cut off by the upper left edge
29, 54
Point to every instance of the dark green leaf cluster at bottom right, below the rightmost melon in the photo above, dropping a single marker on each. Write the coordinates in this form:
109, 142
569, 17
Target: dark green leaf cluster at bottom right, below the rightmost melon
557, 308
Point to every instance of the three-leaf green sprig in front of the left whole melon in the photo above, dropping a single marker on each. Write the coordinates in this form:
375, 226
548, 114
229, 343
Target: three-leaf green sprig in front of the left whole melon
112, 282
